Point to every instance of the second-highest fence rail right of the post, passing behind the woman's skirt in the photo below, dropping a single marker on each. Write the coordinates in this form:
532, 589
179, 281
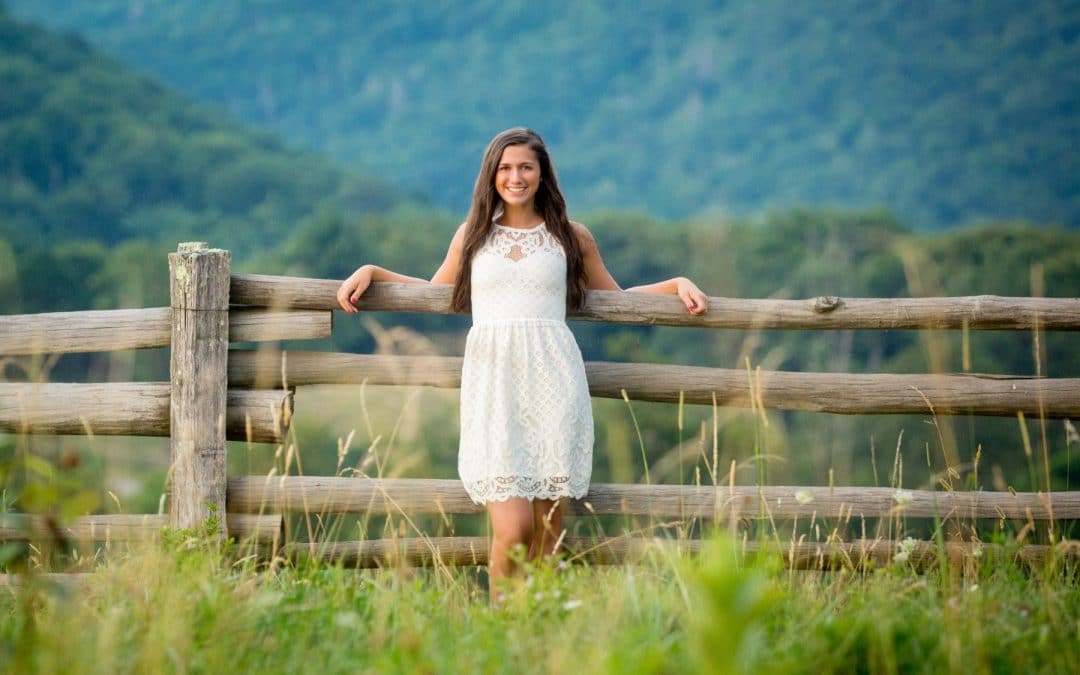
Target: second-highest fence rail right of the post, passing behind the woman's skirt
823, 393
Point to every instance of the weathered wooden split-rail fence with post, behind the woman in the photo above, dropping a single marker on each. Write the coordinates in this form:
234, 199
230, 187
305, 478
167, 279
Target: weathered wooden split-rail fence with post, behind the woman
215, 394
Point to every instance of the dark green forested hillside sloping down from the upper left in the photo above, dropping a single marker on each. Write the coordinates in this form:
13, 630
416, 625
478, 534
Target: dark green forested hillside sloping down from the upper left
90, 151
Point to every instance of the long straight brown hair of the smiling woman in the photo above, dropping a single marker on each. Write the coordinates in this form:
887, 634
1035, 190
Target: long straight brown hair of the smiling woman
549, 204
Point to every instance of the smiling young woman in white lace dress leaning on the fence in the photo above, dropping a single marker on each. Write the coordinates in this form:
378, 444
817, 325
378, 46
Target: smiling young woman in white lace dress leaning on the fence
518, 263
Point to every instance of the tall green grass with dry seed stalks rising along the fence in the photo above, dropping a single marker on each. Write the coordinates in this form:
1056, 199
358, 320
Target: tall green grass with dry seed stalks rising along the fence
186, 603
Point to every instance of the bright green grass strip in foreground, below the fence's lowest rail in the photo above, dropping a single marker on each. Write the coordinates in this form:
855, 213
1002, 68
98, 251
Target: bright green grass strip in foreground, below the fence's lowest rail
188, 609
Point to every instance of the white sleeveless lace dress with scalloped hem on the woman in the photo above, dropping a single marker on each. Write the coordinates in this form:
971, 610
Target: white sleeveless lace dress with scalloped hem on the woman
526, 416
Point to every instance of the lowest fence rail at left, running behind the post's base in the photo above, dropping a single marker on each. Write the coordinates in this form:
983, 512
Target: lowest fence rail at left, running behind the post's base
263, 529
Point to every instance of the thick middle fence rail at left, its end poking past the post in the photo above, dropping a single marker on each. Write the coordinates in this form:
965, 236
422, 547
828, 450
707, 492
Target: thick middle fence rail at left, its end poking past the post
132, 409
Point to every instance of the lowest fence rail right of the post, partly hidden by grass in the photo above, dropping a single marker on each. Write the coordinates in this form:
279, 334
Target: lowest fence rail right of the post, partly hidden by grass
474, 551
